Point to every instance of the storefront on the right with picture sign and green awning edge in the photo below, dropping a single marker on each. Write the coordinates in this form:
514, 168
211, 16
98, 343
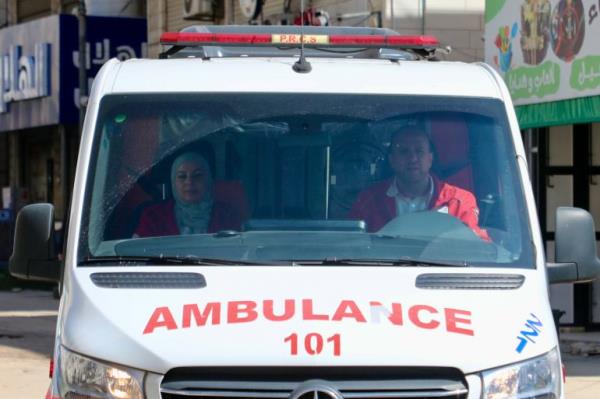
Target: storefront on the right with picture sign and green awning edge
548, 53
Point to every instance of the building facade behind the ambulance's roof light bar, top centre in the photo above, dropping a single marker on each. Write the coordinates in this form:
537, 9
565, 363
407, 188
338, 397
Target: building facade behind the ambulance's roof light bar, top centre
458, 23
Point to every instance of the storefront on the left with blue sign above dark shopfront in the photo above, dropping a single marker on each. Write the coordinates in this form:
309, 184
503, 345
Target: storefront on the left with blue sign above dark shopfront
39, 101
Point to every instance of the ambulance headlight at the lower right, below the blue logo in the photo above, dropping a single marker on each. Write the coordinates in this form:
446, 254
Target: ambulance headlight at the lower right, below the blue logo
537, 378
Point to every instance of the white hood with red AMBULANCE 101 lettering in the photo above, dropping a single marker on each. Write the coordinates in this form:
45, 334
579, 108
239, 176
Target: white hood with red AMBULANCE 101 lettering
307, 316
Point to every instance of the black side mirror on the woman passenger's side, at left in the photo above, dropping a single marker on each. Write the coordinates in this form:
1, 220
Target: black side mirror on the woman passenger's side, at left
34, 252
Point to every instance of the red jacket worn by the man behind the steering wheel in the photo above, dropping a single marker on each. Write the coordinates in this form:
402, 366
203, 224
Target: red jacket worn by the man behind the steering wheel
377, 208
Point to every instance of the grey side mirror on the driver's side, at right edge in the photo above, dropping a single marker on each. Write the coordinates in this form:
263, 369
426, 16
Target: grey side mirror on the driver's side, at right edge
575, 256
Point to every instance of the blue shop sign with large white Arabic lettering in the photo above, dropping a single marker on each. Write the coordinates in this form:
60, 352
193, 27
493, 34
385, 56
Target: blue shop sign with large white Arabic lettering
39, 61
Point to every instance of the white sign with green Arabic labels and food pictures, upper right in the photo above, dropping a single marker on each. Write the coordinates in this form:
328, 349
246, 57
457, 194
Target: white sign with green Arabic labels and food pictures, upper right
546, 50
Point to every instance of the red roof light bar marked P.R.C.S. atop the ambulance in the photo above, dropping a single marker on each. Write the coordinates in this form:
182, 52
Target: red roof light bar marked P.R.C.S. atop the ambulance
293, 40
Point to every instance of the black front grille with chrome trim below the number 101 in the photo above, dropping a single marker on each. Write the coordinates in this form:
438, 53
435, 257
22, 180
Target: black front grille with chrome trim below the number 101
314, 383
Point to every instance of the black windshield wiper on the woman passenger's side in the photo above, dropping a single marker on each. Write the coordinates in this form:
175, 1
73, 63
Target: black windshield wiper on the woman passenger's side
126, 260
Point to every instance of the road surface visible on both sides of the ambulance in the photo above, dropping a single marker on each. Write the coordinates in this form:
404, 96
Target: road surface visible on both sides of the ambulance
27, 323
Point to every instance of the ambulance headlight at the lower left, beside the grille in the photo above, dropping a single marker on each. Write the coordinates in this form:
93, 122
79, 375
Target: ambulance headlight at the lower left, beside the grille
83, 378
